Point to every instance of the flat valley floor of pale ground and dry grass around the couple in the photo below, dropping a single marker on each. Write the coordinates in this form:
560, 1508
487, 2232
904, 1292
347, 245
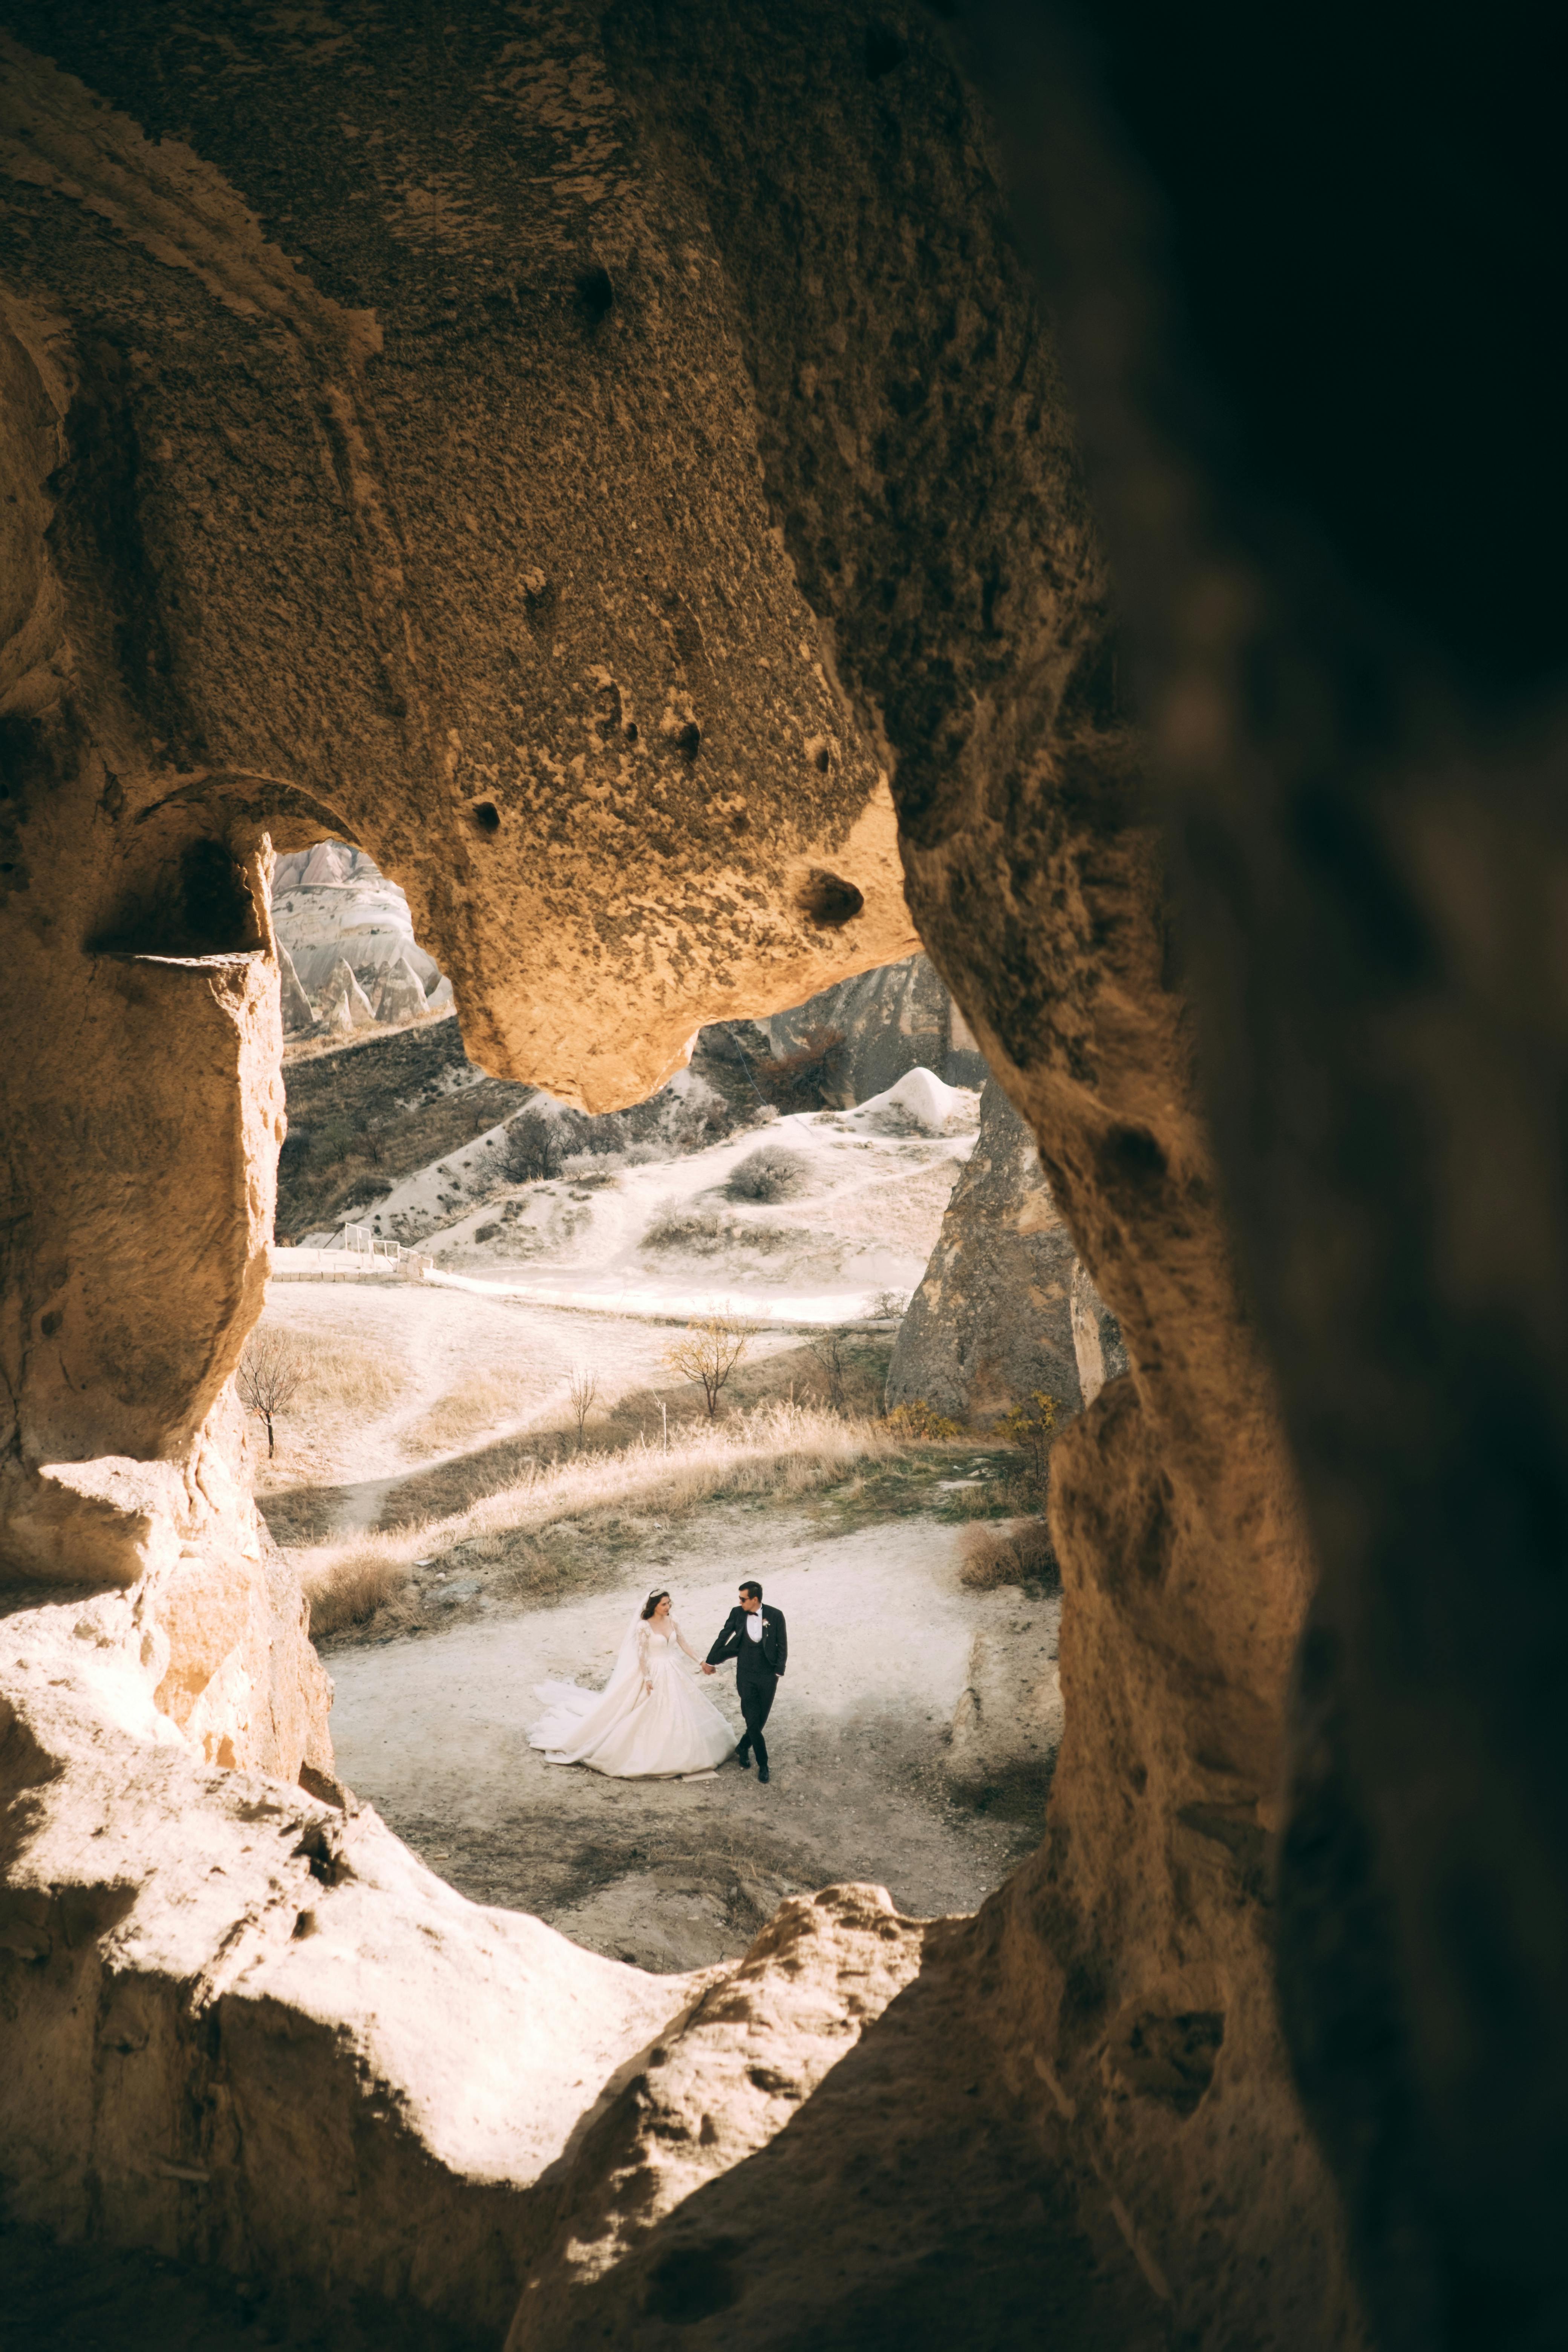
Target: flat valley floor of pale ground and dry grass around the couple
424, 1405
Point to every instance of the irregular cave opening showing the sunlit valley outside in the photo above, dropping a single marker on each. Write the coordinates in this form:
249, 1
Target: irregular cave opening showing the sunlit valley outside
523, 1365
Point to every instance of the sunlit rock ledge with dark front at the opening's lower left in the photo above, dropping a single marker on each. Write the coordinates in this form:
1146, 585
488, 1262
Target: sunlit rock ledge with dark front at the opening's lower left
220, 2000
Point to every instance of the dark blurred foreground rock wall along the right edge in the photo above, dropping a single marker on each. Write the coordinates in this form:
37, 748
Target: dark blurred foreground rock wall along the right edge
1355, 707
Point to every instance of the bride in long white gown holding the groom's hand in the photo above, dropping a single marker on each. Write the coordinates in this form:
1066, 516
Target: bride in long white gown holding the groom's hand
650, 1723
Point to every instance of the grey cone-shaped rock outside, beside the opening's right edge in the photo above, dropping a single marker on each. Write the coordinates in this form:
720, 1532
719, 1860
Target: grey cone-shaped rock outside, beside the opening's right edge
993, 1321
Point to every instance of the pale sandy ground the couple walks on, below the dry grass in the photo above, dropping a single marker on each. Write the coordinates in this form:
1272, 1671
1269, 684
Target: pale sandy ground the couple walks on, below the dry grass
674, 1876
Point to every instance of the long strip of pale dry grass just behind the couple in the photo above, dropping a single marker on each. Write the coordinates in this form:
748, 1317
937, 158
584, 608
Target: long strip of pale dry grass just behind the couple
777, 1450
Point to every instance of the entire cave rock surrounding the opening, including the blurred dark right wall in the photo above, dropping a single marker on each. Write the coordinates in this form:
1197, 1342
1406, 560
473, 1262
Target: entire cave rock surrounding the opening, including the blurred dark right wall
612, 469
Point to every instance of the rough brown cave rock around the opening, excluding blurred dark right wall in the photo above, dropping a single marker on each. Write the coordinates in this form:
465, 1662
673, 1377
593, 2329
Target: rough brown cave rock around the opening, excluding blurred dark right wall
608, 469
